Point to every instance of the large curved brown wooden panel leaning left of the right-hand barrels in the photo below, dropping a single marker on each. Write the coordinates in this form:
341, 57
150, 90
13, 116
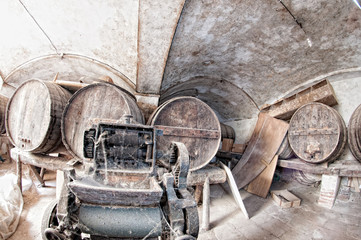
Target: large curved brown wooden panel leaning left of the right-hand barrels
265, 141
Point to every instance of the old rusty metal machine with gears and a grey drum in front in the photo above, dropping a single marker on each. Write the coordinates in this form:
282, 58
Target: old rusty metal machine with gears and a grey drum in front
121, 195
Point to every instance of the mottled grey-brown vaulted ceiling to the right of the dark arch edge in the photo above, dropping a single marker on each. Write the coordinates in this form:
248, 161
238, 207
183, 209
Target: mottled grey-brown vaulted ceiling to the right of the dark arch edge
259, 50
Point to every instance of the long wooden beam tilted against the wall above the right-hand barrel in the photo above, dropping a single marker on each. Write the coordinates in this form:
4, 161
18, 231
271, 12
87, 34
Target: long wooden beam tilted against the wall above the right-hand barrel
284, 108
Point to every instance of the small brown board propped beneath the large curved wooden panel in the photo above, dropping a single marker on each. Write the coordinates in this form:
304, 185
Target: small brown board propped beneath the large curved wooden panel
261, 184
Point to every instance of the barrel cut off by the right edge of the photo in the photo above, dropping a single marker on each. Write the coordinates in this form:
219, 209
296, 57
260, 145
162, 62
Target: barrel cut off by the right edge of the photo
354, 133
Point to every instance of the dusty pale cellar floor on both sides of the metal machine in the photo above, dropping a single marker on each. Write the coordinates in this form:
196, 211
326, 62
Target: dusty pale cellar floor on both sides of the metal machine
267, 220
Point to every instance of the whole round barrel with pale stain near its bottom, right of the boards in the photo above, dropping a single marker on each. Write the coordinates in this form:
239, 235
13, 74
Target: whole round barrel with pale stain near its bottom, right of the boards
317, 133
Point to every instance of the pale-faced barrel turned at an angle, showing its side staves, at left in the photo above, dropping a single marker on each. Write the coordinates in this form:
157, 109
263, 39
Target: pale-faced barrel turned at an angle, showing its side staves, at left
33, 116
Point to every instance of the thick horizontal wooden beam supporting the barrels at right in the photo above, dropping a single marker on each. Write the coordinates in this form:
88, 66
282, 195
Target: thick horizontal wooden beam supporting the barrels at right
343, 169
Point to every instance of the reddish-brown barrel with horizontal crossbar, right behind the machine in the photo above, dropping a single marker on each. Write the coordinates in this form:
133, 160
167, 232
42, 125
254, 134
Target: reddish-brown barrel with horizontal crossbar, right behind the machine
190, 121
